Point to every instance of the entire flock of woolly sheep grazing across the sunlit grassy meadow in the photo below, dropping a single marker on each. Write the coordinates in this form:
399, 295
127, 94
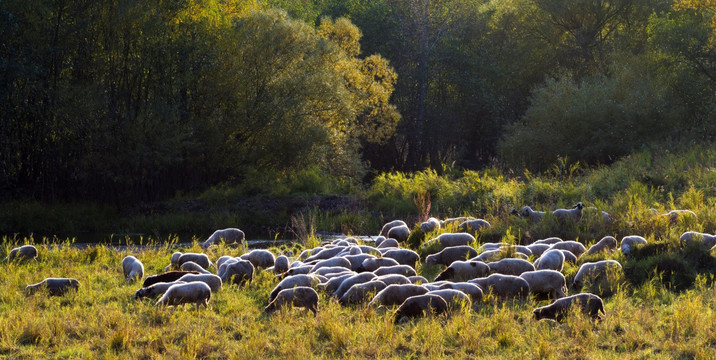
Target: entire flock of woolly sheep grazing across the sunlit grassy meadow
384, 275
